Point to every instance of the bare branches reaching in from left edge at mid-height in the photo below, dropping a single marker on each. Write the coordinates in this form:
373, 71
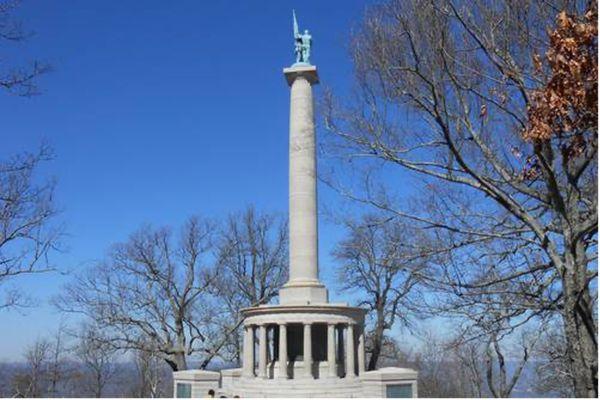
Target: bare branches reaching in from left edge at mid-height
27, 233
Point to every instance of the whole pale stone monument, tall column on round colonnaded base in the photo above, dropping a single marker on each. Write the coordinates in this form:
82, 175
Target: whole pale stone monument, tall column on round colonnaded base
305, 346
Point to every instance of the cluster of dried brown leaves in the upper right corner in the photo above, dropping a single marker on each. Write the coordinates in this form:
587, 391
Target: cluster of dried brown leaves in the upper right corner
566, 107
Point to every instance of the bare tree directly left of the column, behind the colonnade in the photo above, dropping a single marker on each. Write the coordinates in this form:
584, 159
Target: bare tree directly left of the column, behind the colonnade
251, 266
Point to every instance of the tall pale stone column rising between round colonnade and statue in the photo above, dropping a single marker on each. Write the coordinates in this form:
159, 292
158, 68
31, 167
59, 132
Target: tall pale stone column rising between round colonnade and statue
303, 286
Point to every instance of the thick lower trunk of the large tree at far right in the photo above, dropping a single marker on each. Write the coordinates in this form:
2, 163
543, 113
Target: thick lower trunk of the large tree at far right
580, 331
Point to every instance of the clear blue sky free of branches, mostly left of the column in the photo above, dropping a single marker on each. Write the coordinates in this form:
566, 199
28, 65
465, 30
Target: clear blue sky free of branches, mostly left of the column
159, 110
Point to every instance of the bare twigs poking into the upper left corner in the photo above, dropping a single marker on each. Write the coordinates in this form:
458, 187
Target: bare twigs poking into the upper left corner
18, 80
